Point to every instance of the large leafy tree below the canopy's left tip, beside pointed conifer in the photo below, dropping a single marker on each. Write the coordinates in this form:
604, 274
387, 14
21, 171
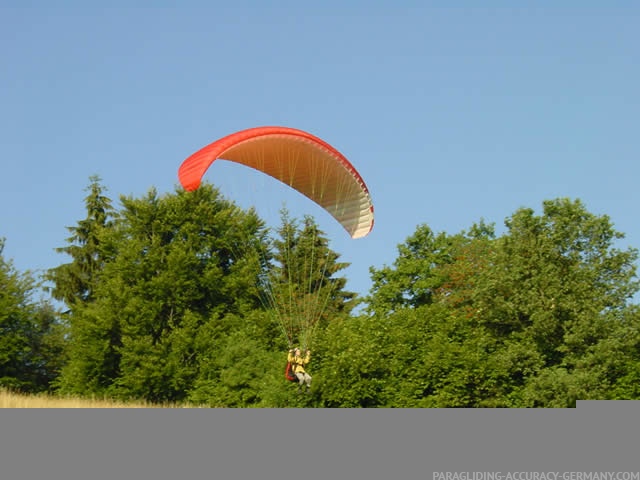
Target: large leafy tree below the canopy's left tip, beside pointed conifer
178, 262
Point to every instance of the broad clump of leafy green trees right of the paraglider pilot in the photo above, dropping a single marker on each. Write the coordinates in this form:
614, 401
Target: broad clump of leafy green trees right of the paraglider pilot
538, 317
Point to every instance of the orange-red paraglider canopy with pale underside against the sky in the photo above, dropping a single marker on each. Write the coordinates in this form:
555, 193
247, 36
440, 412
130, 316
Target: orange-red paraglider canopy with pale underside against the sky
299, 160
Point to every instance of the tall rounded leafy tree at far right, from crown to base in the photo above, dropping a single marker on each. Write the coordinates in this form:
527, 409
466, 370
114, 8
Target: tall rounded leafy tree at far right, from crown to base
551, 294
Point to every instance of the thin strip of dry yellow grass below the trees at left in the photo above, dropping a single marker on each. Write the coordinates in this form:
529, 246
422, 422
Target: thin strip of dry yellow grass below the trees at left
15, 400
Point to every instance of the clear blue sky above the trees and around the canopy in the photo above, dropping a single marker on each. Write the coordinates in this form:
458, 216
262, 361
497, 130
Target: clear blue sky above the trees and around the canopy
450, 114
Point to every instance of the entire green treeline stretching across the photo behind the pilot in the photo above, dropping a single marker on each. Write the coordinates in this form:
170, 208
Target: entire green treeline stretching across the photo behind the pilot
164, 302
